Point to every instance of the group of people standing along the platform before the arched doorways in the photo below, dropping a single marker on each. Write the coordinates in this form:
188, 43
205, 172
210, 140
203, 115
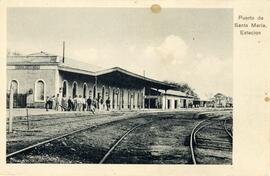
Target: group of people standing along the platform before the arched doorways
78, 103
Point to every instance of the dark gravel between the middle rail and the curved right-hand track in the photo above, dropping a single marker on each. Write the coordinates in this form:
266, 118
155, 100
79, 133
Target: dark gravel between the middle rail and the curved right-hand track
161, 142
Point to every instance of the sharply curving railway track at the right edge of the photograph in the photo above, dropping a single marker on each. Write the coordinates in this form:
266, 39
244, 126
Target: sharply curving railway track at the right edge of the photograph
205, 142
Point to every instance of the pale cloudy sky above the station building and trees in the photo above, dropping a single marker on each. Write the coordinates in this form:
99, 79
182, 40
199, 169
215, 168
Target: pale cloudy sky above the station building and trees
181, 45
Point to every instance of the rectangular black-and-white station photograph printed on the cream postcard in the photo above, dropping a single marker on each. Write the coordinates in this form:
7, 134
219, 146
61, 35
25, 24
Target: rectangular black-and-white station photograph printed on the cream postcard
119, 85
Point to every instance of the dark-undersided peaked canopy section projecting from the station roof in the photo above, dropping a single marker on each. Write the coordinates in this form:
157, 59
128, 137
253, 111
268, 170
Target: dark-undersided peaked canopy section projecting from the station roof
122, 77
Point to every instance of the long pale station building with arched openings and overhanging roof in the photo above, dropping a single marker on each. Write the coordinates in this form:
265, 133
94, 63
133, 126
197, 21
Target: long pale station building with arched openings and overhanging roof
38, 75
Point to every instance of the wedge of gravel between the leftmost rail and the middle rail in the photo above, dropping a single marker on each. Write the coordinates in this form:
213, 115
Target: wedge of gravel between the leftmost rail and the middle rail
85, 147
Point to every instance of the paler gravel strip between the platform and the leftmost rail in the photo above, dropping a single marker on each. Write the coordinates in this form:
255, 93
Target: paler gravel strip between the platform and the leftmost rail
49, 127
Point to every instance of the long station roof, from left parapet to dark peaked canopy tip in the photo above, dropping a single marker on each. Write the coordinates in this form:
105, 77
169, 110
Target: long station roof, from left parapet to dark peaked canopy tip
115, 75
